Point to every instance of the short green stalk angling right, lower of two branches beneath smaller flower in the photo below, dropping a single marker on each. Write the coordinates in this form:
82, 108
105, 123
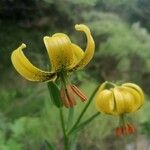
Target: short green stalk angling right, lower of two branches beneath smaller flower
83, 124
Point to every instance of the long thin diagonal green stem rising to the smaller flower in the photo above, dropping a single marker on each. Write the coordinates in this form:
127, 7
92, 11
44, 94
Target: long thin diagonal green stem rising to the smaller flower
84, 110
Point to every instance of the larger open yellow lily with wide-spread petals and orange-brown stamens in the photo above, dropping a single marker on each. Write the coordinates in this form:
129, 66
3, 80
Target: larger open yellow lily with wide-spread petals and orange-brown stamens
64, 56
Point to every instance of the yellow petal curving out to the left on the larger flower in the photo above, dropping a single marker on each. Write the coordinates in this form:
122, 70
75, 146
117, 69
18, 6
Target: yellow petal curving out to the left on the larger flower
26, 69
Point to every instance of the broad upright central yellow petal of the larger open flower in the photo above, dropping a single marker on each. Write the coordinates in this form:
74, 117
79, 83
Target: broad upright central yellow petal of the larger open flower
59, 50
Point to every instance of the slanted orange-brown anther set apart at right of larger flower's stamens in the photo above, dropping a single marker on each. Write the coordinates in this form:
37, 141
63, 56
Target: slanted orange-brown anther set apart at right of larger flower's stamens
78, 92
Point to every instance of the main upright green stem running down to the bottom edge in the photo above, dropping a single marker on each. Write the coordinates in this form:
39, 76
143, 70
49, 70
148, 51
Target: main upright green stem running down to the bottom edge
63, 129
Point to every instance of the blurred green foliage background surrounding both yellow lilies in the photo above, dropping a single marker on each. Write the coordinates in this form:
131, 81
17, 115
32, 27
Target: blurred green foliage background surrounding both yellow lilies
121, 32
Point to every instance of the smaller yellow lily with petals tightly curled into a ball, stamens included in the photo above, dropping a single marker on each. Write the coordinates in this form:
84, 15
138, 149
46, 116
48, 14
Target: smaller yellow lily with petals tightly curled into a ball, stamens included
119, 100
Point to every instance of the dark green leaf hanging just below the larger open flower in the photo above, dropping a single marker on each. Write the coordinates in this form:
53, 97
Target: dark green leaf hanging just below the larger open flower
54, 94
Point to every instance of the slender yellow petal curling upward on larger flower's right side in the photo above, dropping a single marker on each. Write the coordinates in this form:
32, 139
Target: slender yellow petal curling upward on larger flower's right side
90, 48
